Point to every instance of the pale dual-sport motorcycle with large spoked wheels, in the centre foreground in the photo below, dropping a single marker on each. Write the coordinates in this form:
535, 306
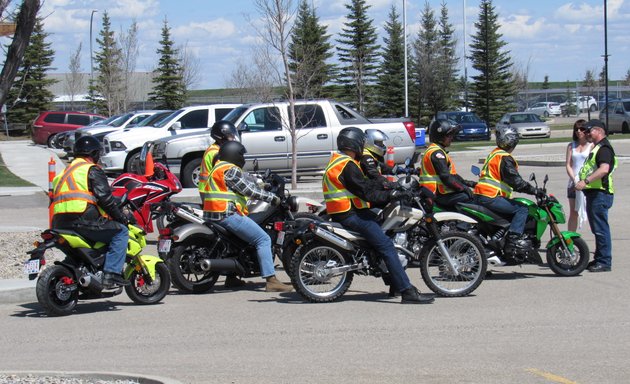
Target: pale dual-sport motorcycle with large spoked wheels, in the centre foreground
328, 256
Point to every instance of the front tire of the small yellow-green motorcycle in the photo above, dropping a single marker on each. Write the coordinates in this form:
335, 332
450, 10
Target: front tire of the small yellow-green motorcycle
141, 292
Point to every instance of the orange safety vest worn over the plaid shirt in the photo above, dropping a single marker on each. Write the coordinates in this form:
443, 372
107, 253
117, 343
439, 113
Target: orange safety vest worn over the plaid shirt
219, 195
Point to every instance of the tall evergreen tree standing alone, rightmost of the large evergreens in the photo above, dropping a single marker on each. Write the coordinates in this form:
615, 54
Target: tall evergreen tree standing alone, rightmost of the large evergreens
492, 90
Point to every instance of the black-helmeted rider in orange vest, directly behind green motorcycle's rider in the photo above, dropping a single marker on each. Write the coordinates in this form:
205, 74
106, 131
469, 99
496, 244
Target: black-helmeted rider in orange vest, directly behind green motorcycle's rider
437, 169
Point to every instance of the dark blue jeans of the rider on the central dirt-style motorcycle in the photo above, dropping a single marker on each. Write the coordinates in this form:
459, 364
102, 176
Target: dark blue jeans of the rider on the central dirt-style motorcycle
363, 222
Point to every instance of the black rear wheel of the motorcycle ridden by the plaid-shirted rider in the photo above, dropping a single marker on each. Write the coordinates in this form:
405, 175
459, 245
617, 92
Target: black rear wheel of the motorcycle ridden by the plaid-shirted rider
185, 265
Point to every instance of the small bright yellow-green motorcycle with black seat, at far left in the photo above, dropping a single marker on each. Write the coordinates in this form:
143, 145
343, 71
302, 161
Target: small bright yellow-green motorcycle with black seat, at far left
79, 276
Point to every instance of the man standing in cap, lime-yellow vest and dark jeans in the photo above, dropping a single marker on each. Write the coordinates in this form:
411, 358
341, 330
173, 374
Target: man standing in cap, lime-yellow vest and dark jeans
597, 184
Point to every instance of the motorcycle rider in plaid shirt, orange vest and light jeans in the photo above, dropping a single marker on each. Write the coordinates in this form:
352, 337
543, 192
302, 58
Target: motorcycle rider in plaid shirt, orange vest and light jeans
226, 203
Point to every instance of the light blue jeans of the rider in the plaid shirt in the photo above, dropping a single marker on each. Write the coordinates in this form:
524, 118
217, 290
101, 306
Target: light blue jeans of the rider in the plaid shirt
247, 230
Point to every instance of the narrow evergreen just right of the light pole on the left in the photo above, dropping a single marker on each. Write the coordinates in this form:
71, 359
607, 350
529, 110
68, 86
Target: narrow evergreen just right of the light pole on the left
106, 91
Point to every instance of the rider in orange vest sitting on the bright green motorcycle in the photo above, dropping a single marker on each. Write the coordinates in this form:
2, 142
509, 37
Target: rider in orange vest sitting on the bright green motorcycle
499, 177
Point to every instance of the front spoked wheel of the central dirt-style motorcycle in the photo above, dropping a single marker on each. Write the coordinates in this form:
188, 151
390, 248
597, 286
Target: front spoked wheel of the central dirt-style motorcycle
468, 258
